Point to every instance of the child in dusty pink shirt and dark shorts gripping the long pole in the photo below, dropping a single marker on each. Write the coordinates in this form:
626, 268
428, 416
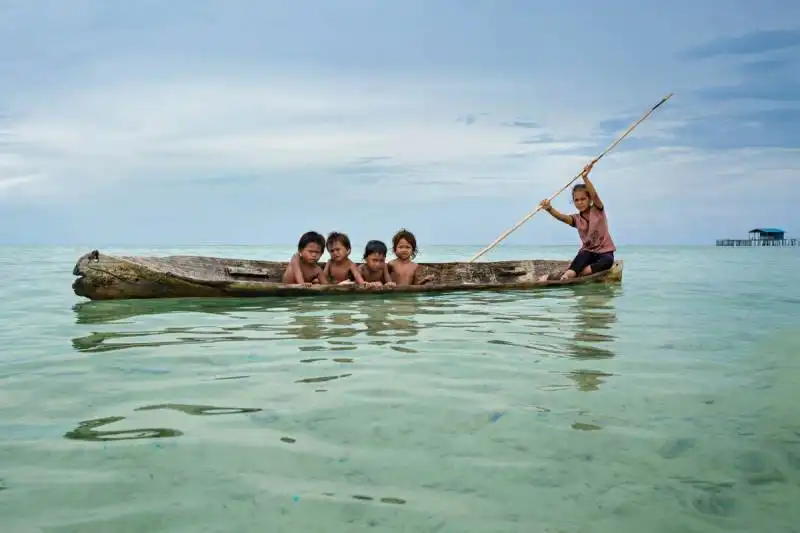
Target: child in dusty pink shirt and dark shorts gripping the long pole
597, 250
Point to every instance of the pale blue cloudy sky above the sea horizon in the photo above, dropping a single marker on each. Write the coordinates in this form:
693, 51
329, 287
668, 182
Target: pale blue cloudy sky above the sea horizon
198, 122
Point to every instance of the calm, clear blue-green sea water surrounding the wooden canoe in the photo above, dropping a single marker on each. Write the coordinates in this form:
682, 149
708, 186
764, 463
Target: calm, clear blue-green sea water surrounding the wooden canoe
668, 404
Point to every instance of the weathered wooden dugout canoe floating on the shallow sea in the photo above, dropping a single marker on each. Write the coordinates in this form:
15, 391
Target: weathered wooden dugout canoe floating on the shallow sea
106, 277
